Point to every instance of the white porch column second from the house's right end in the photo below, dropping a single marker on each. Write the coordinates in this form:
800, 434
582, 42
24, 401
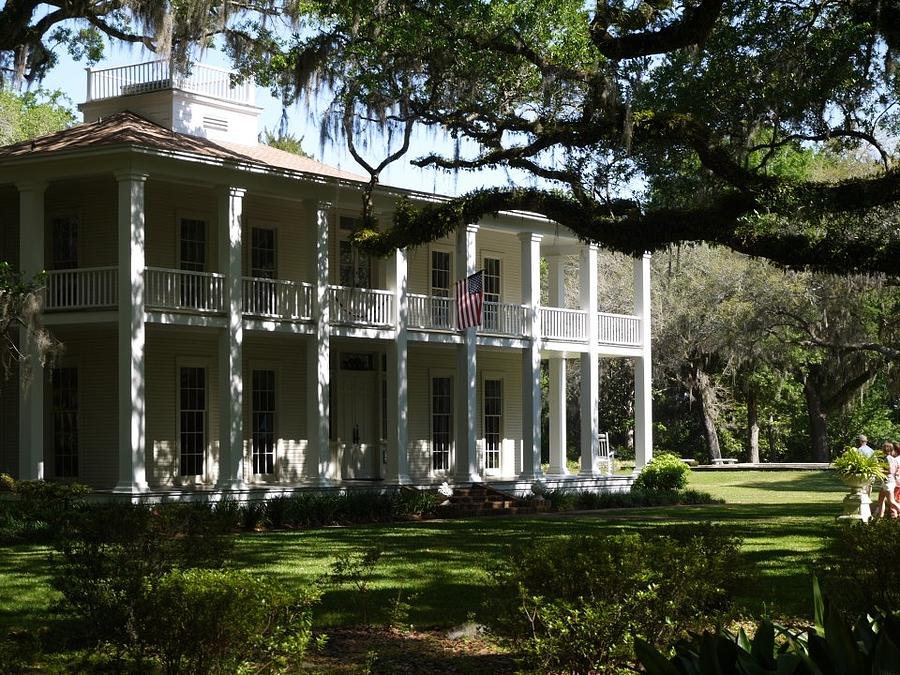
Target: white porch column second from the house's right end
590, 379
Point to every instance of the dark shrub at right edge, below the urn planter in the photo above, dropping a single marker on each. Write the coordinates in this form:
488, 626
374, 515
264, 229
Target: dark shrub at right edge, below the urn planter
859, 570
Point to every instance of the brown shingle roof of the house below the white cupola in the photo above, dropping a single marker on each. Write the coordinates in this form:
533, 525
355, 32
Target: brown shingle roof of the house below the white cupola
127, 128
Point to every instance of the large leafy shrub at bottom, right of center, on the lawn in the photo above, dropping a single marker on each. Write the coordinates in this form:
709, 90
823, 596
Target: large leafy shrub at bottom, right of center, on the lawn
577, 605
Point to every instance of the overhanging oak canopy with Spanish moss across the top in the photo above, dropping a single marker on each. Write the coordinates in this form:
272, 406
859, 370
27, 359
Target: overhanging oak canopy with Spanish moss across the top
649, 123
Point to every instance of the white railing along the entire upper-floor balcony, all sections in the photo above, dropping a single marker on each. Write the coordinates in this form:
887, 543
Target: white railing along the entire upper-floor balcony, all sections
203, 293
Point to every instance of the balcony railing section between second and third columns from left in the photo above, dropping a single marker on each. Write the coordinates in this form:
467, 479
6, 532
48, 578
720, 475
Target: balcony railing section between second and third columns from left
202, 292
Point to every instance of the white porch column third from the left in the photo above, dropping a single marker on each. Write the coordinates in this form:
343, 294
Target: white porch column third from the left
231, 340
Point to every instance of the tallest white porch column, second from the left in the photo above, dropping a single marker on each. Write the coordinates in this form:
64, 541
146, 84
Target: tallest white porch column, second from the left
132, 394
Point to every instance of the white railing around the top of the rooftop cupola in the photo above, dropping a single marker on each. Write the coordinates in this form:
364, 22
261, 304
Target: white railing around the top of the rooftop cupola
140, 78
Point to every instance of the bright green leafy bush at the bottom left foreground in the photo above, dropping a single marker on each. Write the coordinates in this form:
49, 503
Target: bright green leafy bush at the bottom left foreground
201, 621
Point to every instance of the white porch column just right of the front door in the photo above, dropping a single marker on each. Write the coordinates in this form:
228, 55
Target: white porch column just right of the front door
397, 470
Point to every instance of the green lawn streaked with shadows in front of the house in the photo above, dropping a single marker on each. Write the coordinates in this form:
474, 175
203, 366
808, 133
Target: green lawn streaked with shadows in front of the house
438, 567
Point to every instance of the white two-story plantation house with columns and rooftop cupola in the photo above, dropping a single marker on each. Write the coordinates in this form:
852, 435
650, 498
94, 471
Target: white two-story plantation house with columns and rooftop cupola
221, 333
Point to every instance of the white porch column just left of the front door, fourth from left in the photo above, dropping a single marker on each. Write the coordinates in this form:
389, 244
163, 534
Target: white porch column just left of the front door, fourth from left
320, 467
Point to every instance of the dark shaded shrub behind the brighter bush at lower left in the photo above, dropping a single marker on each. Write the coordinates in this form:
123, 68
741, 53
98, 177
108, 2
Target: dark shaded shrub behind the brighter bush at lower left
108, 552
